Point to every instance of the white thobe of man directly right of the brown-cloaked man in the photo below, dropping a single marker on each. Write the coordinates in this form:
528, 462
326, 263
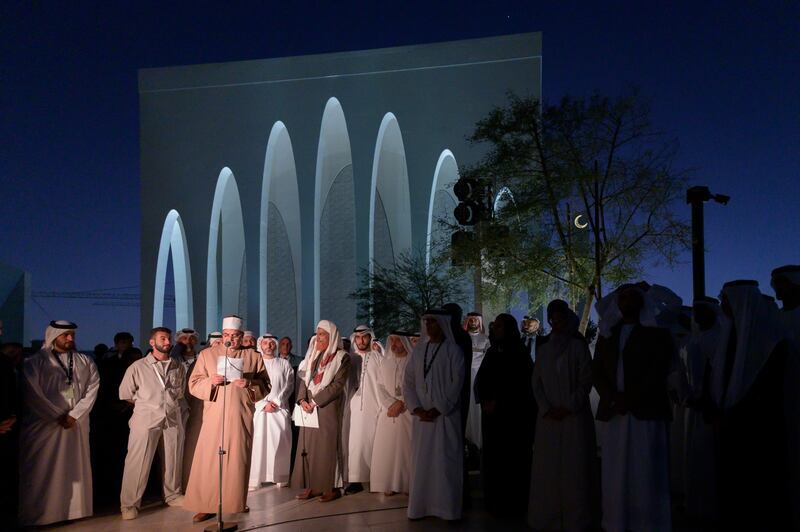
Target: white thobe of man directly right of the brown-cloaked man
363, 407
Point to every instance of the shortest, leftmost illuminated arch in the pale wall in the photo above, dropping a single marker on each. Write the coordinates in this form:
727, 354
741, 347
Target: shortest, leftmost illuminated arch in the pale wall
173, 240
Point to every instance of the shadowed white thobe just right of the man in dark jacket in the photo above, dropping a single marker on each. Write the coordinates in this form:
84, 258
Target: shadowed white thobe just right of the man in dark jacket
700, 475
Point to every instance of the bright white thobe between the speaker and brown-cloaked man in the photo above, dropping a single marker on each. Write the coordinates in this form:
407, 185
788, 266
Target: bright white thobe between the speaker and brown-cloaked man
272, 431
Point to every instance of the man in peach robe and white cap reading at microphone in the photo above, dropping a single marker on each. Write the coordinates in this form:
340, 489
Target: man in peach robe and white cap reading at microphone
230, 380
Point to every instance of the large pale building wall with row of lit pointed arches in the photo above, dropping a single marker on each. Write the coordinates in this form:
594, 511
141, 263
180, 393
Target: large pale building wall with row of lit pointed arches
268, 185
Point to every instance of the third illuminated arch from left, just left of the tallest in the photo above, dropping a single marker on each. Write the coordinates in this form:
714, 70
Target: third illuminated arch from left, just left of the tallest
279, 240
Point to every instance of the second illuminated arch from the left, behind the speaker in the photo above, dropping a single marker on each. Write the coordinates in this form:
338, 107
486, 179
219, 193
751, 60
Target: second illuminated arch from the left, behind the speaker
226, 290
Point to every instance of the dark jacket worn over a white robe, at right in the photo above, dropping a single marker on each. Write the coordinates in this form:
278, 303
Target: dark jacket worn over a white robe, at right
647, 359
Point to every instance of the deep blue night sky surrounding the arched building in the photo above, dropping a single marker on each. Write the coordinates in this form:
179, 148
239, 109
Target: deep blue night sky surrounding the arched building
723, 78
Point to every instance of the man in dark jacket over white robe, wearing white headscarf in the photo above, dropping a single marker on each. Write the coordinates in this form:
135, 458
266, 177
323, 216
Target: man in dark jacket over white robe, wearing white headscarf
633, 359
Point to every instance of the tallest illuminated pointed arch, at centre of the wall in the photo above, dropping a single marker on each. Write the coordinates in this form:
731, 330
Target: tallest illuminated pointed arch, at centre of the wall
334, 221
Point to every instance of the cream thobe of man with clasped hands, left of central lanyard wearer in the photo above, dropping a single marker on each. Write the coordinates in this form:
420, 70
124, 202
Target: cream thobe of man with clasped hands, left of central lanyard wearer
391, 455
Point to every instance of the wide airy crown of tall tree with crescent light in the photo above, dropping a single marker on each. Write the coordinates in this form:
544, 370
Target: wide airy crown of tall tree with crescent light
594, 189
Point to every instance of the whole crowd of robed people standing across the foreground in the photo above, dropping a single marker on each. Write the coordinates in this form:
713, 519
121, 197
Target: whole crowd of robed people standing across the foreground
710, 391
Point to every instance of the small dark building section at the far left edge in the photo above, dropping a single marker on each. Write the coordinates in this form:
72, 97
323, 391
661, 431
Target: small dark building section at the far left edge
15, 298
